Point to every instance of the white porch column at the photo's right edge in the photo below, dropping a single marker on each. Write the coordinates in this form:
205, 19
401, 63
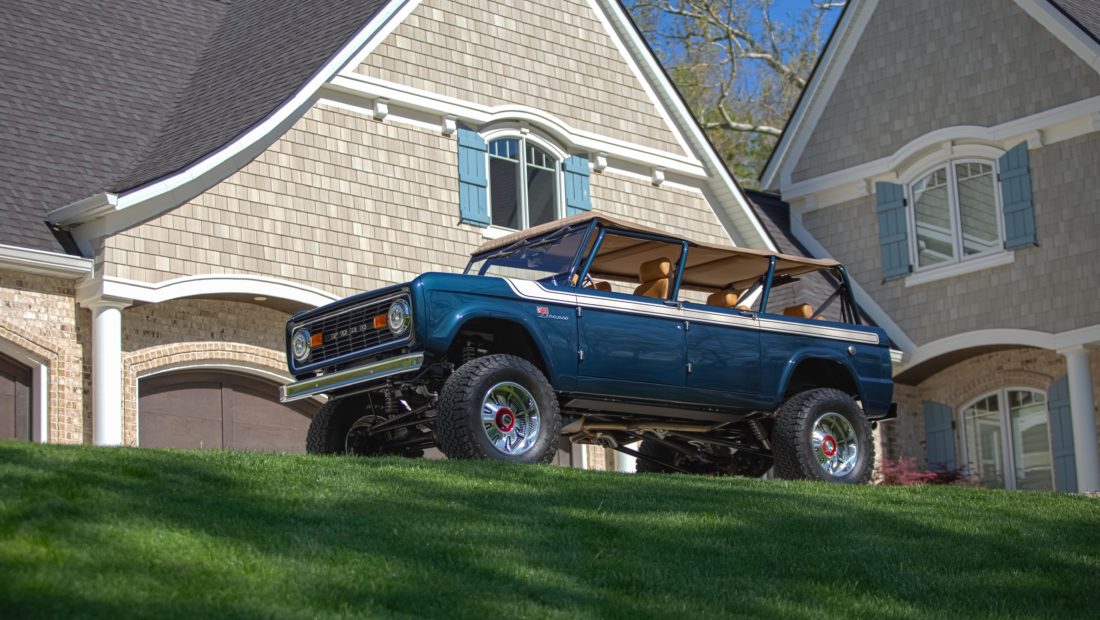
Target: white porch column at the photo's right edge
1082, 407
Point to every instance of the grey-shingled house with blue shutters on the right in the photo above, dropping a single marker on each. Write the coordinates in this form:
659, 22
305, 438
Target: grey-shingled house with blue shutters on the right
949, 154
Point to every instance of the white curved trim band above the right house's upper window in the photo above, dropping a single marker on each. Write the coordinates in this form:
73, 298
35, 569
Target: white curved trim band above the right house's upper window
1053, 126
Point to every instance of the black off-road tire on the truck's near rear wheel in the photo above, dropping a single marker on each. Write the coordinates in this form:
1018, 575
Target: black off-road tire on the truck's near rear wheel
793, 438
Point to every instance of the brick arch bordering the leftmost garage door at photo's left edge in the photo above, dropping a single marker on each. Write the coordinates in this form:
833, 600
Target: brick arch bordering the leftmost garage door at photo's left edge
64, 372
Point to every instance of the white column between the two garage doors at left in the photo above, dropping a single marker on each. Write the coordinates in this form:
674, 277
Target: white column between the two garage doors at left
107, 372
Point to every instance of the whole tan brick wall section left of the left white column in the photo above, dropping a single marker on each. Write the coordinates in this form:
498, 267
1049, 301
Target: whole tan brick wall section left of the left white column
39, 318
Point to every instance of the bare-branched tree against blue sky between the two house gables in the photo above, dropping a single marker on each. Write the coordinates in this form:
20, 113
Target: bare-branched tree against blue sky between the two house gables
740, 67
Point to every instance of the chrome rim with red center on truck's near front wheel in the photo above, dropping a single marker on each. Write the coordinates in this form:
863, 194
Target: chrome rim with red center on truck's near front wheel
511, 418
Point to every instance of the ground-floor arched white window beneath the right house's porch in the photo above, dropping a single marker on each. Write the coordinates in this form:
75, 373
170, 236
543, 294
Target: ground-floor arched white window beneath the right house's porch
1007, 440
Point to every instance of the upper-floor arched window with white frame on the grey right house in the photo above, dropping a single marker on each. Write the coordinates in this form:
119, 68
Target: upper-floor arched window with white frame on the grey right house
956, 214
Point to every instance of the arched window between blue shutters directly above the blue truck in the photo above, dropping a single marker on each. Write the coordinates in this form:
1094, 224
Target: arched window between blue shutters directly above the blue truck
523, 183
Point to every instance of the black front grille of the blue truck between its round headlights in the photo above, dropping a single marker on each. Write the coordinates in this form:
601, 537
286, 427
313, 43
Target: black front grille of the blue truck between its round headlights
351, 330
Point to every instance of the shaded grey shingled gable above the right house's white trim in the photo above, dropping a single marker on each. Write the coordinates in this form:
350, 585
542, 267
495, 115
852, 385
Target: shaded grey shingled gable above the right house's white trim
923, 65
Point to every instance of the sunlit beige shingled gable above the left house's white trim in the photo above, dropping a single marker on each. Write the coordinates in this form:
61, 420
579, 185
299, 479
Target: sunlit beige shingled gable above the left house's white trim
555, 57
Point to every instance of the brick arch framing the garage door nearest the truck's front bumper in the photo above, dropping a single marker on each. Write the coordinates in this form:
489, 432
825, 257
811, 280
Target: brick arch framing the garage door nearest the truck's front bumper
219, 356
